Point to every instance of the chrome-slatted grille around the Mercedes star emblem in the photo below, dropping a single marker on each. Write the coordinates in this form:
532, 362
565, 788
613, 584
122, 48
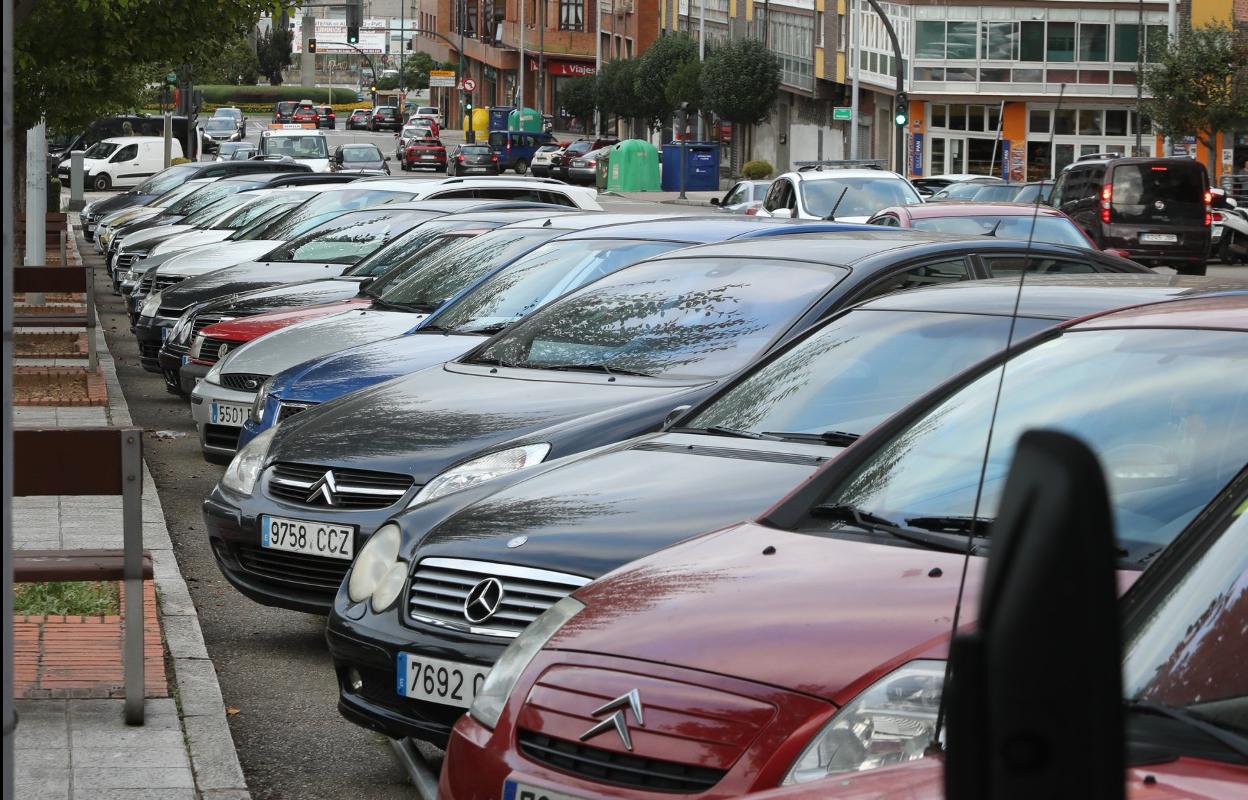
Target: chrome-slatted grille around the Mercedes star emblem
440, 590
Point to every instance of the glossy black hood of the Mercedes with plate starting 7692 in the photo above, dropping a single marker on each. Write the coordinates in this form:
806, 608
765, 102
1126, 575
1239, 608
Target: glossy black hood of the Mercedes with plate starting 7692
596, 512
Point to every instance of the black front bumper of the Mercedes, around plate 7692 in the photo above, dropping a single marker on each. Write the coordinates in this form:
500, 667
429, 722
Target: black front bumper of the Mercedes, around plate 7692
365, 648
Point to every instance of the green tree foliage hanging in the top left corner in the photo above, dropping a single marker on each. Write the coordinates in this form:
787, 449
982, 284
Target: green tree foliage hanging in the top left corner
78, 61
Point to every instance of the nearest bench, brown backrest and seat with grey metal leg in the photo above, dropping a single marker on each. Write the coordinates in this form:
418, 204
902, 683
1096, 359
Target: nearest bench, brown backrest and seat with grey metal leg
92, 461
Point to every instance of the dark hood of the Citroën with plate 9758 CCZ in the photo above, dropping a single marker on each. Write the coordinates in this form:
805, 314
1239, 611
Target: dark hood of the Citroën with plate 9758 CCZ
427, 421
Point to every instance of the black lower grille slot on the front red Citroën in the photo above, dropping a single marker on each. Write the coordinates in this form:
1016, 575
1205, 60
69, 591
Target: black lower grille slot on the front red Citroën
620, 769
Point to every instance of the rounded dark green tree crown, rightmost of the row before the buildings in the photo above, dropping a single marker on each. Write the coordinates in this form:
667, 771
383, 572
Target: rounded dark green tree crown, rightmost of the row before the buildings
741, 82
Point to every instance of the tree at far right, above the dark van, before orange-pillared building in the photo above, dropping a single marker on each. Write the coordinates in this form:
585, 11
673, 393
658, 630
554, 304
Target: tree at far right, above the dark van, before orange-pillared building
1194, 87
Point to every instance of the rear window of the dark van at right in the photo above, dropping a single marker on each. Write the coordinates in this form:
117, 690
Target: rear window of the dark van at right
1159, 193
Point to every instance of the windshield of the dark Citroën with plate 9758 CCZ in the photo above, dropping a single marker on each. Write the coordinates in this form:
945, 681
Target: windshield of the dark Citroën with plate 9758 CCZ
681, 319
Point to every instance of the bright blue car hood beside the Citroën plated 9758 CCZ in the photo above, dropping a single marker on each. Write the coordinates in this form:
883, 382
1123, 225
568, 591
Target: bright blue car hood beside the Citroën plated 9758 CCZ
321, 380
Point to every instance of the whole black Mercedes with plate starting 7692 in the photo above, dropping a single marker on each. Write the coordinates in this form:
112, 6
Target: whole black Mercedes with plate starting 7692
546, 531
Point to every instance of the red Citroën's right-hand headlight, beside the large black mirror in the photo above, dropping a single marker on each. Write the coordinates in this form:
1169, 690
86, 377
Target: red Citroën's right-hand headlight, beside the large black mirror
892, 722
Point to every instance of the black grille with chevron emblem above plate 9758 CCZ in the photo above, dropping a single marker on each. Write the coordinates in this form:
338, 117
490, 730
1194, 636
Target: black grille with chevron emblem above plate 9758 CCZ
349, 490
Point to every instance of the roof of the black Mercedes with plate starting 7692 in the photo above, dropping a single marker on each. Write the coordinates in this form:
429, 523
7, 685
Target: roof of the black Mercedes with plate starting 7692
1051, 296
